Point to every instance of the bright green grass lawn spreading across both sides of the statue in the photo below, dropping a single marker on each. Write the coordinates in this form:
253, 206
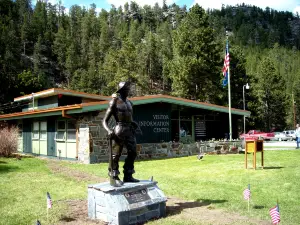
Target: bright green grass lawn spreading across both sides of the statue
217, 179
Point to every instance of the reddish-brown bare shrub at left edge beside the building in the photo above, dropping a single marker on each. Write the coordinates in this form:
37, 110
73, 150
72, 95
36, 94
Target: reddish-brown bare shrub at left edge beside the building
8, 141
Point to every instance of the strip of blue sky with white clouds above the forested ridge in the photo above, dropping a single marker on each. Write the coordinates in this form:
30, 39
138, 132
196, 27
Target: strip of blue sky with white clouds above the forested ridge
280, 5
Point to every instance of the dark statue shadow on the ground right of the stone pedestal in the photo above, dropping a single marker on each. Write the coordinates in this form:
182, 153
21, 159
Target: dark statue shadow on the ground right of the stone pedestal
178, 207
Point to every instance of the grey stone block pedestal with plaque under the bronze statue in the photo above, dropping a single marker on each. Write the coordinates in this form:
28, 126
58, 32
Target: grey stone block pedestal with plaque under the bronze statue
133, 203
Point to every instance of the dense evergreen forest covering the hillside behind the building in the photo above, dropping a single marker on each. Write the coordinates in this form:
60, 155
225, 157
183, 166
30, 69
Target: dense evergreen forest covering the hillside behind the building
162, 49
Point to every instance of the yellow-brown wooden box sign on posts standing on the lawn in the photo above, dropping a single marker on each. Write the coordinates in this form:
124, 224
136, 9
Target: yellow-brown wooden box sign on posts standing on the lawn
253, 146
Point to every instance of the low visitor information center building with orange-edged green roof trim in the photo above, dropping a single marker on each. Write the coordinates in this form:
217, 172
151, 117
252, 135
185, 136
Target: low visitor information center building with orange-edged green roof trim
68, 124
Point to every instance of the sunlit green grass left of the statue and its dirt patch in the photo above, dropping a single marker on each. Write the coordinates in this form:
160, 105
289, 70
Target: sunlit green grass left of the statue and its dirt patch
23, 187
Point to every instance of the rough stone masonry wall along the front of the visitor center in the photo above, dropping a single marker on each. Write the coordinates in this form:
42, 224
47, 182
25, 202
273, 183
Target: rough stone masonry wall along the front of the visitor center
98, 144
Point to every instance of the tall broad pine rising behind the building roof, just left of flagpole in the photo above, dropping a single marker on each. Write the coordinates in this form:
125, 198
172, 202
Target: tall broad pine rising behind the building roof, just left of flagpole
195, 67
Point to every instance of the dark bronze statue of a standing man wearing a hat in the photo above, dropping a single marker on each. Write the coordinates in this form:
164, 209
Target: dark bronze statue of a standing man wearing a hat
123, 134
